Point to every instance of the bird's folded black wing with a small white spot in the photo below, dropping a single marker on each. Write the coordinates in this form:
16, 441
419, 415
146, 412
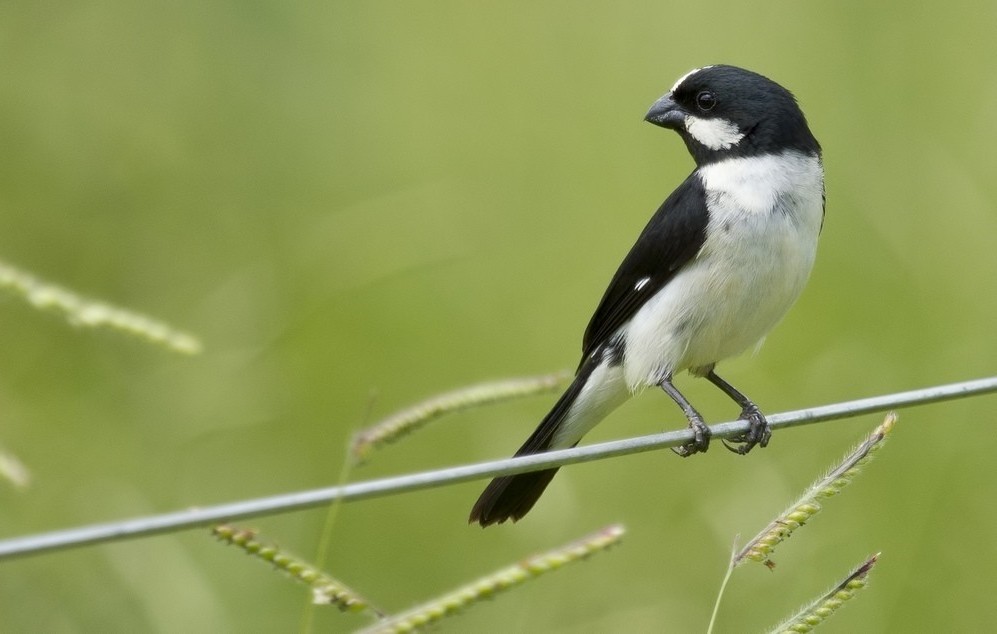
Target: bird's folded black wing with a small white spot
671, 238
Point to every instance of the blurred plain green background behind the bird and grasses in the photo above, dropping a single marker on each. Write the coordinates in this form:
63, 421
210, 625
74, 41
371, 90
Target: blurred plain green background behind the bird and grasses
357, 205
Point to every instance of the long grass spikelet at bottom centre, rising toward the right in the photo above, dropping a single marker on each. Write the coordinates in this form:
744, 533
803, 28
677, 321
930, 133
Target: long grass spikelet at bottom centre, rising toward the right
487, 587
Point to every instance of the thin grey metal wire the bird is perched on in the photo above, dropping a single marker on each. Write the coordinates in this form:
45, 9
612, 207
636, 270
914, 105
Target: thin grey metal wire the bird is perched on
197, 517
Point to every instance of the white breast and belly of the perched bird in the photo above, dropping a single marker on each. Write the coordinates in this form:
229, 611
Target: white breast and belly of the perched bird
765, 216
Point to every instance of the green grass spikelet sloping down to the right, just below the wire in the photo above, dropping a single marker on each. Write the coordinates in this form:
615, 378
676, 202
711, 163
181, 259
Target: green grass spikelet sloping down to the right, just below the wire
325, 589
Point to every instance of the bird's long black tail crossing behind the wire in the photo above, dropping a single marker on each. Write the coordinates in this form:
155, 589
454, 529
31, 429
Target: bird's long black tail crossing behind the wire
511, 497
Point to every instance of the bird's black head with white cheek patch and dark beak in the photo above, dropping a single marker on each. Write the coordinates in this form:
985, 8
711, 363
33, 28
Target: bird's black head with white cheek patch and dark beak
725, 112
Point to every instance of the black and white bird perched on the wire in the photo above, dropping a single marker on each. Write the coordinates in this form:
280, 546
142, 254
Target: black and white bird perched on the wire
717, 266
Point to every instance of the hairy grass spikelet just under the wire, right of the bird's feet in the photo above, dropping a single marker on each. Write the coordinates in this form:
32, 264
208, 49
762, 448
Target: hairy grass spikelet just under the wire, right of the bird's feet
761, 547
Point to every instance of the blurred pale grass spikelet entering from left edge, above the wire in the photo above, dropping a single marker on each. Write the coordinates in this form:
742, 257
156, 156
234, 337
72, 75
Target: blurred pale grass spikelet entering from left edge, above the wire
88, 313
